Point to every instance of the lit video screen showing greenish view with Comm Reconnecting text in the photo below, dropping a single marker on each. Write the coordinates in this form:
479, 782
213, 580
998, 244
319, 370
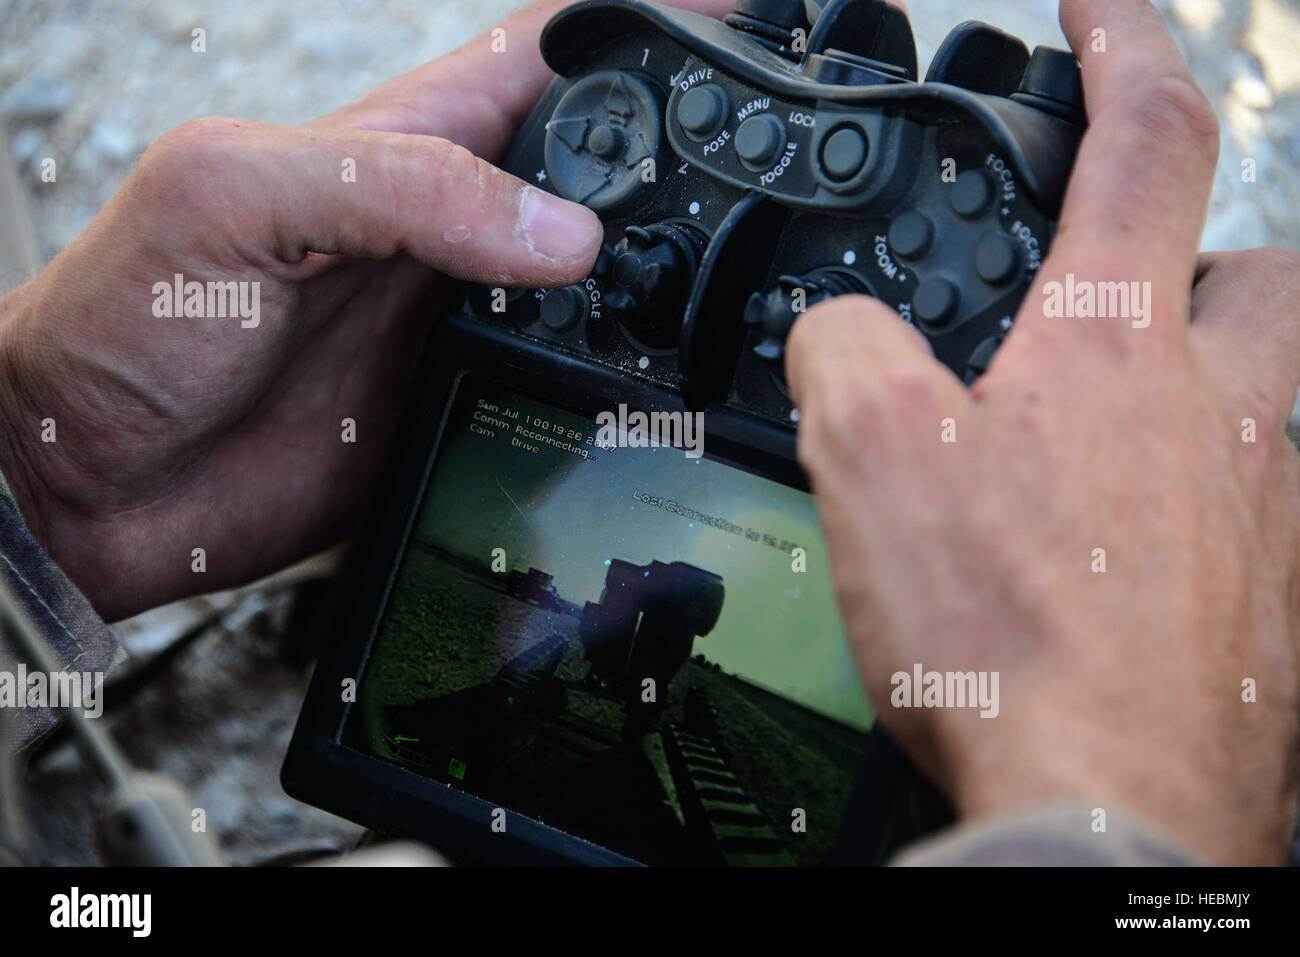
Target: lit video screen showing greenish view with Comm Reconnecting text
630, 644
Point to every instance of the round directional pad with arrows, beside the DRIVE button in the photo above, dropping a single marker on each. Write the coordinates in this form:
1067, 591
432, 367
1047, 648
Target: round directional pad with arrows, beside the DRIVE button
600, 137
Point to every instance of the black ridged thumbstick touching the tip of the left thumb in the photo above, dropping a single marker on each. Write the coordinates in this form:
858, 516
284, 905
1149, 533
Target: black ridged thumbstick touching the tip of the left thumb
648, 278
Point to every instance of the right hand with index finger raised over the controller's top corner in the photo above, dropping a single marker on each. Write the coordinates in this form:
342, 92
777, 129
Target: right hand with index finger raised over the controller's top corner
1126, 674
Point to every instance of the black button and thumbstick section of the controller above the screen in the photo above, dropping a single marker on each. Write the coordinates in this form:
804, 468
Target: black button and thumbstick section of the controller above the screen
749, 168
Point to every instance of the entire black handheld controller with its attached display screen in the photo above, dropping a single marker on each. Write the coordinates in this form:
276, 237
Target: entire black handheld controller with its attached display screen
744, 170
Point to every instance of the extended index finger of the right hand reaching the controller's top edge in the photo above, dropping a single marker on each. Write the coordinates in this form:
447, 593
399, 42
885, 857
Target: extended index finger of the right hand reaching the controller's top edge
1141, 188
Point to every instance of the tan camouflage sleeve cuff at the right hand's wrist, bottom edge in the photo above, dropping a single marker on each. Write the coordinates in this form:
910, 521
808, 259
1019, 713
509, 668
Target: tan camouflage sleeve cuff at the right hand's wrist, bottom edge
1076, 835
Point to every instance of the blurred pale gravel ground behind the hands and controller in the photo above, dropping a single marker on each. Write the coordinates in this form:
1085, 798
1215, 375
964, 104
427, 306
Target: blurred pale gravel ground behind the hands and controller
93, 84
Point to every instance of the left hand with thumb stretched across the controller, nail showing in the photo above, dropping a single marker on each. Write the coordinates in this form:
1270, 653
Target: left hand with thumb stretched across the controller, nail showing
181, 434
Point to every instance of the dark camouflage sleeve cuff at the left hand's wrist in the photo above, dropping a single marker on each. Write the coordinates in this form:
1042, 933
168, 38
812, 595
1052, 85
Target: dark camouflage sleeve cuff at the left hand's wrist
80, 640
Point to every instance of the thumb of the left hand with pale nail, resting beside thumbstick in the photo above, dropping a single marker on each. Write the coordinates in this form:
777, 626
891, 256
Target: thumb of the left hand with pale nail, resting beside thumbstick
374, 194
